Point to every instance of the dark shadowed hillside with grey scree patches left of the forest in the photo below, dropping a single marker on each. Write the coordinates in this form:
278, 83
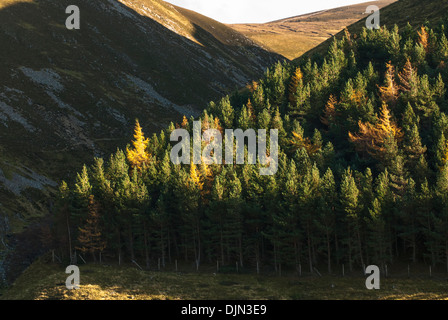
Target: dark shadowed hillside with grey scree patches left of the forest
68, 95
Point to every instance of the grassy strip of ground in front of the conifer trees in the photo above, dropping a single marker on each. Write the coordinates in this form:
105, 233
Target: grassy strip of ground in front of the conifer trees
44, 280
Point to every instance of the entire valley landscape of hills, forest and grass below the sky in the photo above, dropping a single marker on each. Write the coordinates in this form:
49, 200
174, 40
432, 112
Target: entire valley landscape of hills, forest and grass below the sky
86, 118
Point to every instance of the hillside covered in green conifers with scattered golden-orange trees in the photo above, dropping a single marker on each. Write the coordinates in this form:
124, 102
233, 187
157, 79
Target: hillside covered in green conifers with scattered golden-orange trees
362, 173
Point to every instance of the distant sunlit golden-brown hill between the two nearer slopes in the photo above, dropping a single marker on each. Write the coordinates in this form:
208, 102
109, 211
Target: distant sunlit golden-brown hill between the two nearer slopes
294, 36
